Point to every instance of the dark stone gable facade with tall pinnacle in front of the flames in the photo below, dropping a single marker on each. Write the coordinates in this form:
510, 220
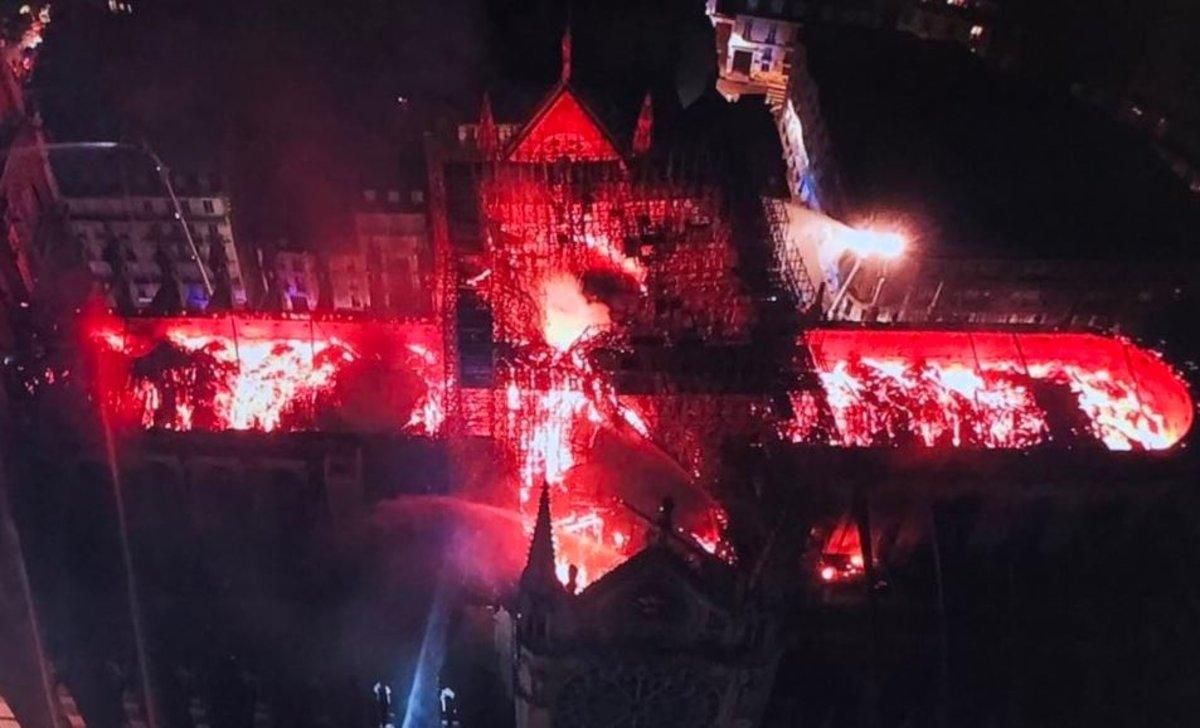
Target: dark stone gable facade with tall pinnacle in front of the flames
668, 639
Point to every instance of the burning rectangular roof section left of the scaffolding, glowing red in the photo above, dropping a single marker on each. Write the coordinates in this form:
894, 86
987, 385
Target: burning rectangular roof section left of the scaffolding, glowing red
268, 375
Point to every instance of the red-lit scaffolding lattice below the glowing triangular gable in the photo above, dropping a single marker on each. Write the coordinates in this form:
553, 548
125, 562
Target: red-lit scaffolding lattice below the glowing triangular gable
655, 238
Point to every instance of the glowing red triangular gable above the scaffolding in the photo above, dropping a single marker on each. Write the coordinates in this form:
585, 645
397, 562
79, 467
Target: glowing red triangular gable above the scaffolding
563, 129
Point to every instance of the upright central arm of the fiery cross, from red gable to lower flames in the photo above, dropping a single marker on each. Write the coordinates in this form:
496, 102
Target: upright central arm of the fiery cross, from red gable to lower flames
573, 256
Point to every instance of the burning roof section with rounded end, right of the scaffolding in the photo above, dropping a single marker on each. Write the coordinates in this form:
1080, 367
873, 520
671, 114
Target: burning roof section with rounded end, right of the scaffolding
989, 390
